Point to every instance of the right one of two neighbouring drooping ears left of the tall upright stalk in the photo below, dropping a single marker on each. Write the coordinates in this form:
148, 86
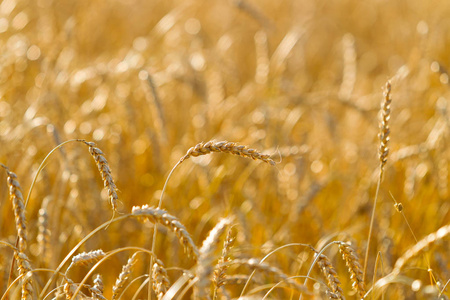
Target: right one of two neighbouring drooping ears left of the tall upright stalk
356, 273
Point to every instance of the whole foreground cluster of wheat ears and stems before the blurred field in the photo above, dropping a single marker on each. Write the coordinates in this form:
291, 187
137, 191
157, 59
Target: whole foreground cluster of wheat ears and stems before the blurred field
208, 277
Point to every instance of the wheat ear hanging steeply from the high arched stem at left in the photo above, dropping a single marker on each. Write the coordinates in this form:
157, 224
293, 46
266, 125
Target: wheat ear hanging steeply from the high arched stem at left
105, 171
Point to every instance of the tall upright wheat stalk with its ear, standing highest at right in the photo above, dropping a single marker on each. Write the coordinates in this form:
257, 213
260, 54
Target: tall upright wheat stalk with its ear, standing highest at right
383, 154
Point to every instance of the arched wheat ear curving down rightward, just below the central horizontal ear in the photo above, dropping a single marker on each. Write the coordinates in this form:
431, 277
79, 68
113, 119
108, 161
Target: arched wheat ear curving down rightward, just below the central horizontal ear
157, 215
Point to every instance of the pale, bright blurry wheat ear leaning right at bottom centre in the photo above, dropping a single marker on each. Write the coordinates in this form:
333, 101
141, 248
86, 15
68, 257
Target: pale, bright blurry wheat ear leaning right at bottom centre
204, 267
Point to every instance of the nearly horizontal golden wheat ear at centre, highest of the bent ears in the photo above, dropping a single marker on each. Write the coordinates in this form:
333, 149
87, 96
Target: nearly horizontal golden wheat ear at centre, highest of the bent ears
227, 147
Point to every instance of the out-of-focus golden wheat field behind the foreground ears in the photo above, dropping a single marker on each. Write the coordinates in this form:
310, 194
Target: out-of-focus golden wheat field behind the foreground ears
300, 80
